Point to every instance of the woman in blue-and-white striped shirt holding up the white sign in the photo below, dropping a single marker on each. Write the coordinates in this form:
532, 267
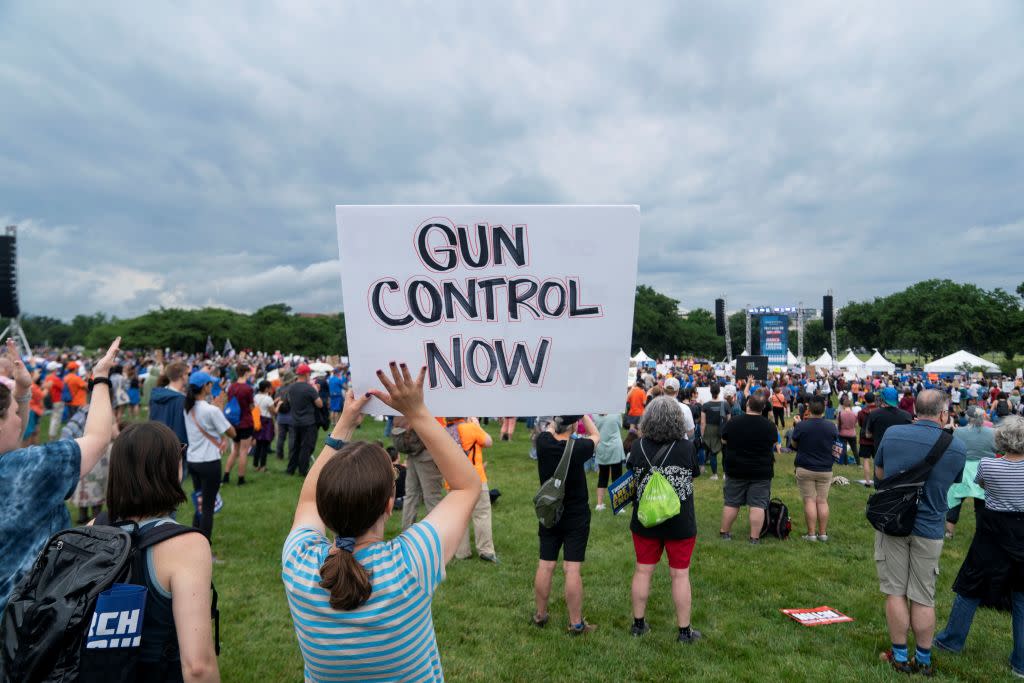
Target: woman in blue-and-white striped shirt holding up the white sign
362, 605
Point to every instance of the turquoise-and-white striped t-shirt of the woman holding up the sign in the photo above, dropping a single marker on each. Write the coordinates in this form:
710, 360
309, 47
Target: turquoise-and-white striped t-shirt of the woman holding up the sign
389, 638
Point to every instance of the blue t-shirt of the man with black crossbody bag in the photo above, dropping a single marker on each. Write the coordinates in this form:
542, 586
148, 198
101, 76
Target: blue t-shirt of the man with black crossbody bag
905, 447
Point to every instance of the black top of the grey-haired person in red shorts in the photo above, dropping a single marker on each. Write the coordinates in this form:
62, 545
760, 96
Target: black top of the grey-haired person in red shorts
679, 465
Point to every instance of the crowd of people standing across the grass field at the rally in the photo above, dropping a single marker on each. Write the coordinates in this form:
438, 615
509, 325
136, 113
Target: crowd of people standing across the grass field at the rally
361, 604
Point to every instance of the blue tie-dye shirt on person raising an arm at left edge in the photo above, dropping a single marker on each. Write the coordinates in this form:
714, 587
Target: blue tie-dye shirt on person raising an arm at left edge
34, 485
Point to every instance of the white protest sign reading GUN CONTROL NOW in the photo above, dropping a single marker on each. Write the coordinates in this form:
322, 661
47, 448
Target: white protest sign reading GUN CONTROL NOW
515, 311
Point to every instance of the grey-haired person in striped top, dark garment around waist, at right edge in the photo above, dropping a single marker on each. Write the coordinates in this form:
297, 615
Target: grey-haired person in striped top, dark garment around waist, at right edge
995, 565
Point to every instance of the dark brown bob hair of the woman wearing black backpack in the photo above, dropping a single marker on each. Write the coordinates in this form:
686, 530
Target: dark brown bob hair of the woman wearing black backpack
145, 476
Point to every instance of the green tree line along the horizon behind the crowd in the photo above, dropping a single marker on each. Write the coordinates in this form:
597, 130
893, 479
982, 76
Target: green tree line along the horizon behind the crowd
933, 318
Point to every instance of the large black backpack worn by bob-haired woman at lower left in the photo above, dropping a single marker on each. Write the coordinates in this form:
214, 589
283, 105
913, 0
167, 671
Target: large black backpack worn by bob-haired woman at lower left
53, 611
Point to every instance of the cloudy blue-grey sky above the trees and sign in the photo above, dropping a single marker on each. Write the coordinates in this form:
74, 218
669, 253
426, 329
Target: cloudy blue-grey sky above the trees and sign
191, 154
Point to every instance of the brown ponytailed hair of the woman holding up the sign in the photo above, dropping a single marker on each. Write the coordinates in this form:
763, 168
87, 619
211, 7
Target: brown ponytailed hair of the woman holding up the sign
353, 493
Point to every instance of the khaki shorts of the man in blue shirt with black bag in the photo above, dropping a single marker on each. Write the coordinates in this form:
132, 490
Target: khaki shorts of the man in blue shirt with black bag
908, 566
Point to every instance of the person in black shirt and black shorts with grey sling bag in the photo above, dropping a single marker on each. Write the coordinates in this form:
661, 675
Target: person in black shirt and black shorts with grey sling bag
573, 531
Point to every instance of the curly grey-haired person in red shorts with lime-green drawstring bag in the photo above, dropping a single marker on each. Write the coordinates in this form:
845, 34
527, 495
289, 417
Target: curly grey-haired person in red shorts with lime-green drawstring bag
662, 429
